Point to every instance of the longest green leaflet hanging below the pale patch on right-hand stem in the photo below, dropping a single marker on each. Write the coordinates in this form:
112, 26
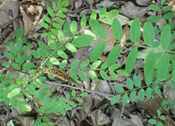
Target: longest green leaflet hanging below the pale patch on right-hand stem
149, 64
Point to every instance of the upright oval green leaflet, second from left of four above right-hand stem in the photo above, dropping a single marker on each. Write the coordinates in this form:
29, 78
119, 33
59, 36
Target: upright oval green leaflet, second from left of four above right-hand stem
135, 32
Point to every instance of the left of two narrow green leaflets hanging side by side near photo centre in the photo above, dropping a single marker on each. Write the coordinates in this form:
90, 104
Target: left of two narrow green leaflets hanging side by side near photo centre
74, 71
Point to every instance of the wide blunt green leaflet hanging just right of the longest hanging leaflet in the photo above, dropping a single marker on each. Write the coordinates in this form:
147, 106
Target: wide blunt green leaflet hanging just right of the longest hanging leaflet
162, 66
